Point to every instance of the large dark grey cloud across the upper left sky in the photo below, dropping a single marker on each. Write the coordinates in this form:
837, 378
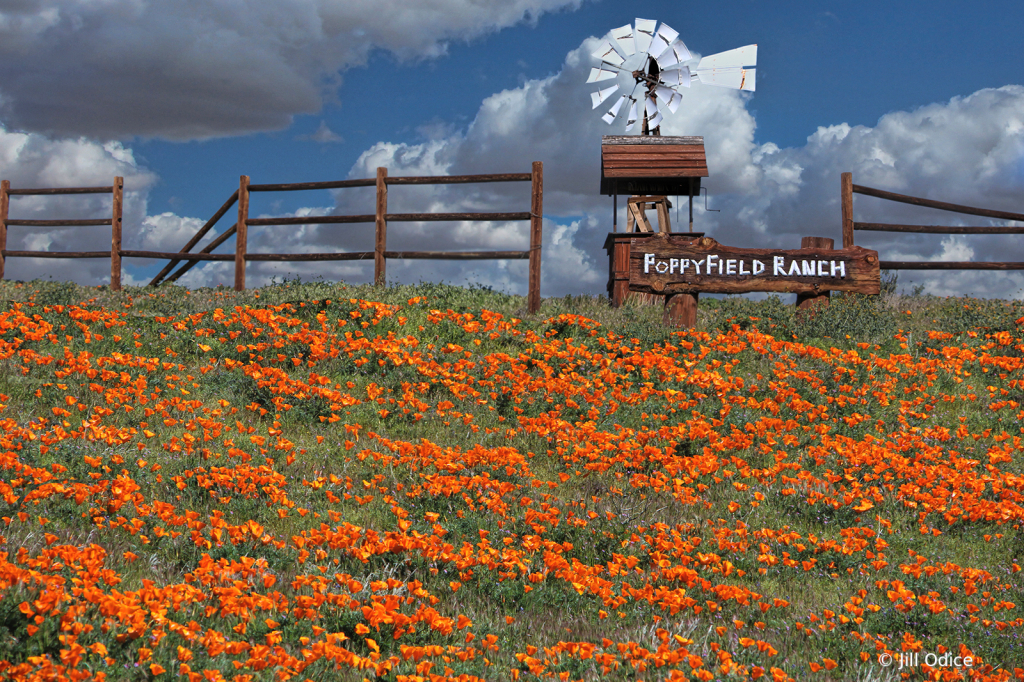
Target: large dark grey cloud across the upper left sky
184, 70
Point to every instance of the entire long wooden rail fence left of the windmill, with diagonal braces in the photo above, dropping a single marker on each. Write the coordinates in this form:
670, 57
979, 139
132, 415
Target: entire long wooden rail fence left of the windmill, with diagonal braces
240, 230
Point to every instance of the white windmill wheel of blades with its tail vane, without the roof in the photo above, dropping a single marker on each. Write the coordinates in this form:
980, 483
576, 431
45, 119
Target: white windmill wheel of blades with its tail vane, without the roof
659, 60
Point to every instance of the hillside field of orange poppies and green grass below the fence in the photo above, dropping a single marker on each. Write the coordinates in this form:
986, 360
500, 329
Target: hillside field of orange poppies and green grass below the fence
322, 483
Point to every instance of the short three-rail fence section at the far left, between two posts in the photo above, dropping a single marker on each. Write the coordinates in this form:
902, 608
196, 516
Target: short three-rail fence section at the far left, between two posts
115, 254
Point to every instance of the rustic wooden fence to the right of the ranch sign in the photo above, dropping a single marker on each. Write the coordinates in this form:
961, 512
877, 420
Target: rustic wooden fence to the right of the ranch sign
848, 189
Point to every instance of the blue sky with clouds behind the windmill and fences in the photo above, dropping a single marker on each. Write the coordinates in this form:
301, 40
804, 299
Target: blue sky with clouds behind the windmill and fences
922, 98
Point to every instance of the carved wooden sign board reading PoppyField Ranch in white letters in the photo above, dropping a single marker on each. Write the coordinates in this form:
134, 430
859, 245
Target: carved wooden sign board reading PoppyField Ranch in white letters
666, 265
